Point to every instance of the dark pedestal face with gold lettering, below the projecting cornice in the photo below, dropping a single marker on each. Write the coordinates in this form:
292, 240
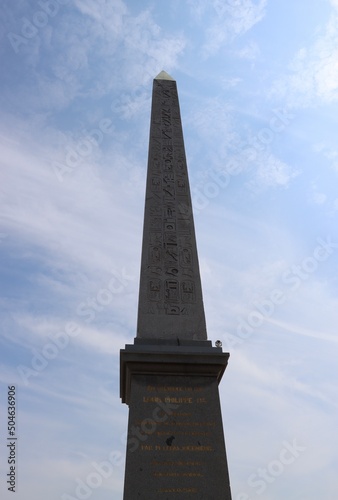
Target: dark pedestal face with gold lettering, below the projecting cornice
175, 447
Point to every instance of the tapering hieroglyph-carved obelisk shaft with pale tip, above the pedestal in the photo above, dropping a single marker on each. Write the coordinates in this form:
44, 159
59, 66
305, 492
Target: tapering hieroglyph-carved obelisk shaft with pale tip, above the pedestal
170, 300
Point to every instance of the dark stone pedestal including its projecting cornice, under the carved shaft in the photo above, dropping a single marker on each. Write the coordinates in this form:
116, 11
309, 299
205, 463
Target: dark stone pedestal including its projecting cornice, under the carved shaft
175, 445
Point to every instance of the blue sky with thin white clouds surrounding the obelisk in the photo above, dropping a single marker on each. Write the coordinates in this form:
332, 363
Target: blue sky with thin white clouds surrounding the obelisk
258, 90
